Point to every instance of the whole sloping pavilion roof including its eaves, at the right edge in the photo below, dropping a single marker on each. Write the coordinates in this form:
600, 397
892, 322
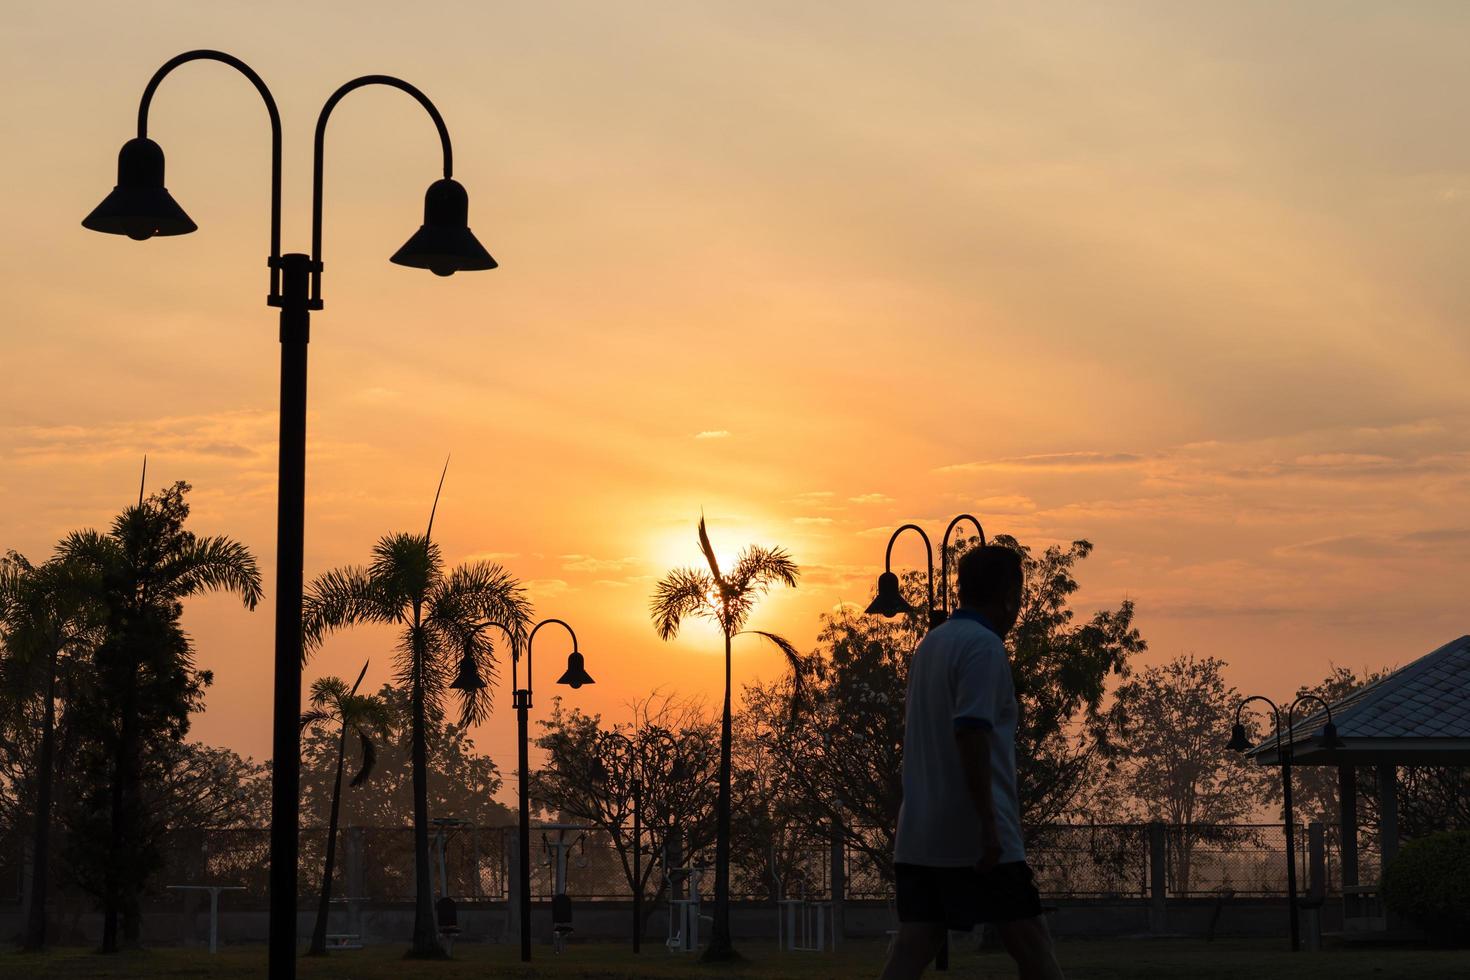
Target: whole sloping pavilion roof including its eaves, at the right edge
1416, 716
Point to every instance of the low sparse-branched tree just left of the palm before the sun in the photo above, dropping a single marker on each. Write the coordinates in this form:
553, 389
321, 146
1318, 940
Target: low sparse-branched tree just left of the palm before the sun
589, 777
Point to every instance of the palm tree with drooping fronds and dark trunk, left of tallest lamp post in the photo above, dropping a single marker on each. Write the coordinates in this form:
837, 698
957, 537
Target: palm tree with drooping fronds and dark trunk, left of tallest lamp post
146, 566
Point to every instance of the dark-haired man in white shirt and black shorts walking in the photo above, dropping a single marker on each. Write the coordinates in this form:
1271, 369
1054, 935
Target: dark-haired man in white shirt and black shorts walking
959, 859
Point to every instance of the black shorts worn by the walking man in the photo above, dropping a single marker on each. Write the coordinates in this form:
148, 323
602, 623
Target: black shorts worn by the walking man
962, 897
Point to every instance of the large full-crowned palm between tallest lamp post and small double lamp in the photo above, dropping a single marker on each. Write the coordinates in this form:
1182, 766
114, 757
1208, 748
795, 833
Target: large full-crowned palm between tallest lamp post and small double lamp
443, 621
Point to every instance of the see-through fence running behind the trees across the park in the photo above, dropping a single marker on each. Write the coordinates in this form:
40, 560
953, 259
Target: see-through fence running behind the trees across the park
1072, 862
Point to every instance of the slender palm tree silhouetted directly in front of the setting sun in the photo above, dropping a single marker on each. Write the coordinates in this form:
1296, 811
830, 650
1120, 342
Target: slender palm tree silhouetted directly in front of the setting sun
727, 600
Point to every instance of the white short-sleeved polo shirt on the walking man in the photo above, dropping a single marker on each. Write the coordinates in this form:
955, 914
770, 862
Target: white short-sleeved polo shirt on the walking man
959, 678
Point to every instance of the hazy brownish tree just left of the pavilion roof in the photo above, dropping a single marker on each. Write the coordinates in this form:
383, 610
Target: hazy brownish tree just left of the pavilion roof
1172, 754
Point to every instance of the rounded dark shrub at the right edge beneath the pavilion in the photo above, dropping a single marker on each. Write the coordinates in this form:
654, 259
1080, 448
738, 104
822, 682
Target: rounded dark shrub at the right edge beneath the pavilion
1430, 885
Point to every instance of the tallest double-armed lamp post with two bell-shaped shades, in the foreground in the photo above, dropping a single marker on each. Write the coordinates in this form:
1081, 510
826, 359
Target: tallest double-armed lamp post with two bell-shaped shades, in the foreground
142, 208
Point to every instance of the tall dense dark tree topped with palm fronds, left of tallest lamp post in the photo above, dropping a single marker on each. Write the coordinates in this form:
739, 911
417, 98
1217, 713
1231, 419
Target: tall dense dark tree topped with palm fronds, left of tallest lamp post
145, 684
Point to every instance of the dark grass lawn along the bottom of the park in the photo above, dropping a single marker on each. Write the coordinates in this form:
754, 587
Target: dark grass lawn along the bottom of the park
1103, 960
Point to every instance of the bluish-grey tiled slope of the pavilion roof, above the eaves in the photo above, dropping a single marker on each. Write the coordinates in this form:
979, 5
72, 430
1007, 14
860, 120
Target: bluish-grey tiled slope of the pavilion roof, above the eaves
1425, 700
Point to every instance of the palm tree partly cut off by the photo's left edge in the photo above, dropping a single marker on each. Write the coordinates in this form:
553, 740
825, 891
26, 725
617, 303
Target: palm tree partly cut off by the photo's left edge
48, 613
